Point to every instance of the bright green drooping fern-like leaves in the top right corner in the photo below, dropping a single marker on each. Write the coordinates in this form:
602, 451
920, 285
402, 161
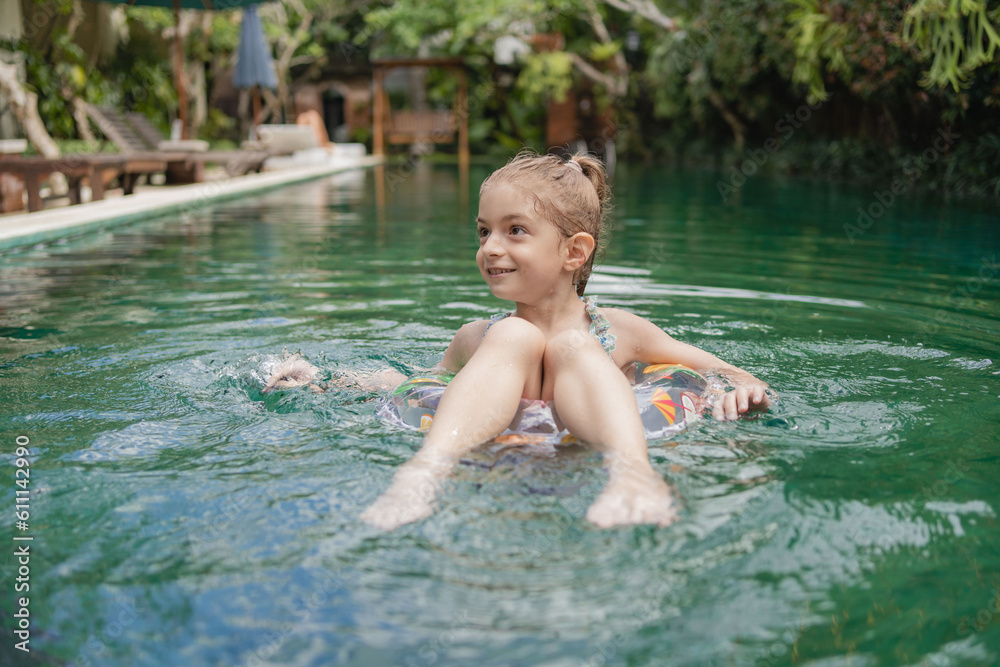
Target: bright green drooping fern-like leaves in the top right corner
957, 35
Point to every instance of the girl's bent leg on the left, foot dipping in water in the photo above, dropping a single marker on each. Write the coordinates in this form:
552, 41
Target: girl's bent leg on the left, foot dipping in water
479, 404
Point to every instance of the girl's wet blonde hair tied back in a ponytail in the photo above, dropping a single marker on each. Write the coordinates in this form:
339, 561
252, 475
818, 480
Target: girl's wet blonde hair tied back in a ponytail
572, 194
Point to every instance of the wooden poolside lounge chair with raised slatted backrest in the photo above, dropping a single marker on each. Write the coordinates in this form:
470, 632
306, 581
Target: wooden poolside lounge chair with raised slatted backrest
135, 136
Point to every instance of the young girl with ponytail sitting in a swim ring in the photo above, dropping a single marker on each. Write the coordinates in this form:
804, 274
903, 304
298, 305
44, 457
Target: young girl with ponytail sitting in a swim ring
540, 221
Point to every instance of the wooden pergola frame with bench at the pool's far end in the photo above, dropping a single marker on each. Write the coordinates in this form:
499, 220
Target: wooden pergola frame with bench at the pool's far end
409, 126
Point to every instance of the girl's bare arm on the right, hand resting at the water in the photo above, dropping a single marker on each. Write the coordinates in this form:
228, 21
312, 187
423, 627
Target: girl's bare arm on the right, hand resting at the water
651, 344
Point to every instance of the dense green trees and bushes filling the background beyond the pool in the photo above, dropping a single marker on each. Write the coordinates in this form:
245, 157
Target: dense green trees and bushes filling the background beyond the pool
882, 75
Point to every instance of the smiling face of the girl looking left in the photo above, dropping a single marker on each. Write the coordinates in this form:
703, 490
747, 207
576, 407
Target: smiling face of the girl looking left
521, 256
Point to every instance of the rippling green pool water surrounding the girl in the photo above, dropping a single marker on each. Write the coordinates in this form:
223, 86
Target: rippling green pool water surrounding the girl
181, 517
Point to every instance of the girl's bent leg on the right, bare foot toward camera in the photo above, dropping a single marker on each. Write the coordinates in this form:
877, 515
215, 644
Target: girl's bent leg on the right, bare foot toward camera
596, 403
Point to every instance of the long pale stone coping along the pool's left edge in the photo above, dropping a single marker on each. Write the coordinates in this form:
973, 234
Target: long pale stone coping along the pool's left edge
47, 225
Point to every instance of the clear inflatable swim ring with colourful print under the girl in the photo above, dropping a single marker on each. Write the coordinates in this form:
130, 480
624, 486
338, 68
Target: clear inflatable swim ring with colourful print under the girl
669, 398
